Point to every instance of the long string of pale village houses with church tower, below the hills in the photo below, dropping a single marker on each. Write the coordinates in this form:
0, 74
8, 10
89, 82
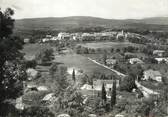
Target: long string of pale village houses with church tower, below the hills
87, 36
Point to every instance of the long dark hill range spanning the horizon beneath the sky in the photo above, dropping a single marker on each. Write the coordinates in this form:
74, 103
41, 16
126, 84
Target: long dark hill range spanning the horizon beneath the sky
63, 23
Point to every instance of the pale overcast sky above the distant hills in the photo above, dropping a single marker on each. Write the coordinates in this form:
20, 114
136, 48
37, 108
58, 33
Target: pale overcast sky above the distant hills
110, 9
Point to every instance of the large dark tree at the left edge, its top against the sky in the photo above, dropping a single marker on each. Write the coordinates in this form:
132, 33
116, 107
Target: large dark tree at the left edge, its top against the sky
12, 71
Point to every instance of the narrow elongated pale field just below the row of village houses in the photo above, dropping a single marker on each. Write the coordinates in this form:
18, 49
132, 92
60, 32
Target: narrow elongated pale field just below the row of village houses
106, 45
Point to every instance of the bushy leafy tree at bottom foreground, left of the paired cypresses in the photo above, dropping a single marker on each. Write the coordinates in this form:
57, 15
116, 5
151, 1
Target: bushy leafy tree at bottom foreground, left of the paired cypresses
70, 101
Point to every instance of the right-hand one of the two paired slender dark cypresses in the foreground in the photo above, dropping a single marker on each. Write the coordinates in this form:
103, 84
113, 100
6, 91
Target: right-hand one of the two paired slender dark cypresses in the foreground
113, 94
